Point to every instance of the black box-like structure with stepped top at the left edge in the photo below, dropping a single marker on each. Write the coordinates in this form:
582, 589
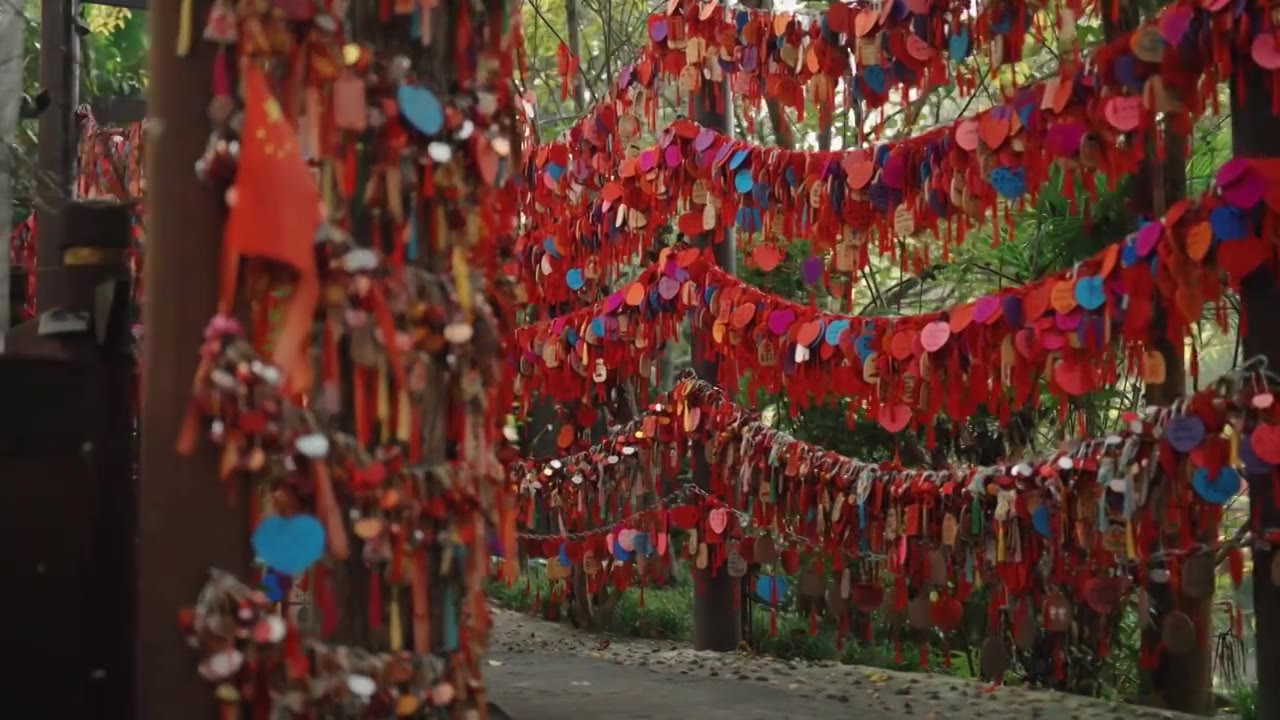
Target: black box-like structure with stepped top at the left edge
68, 487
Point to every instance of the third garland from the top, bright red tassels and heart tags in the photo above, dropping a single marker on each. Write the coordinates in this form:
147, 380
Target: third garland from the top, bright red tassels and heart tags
1075, 331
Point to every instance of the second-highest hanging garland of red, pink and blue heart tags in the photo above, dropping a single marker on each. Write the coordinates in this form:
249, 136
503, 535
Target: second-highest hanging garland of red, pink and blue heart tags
598, 200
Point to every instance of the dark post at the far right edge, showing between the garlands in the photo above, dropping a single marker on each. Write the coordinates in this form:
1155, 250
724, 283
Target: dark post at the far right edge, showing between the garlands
1254, 136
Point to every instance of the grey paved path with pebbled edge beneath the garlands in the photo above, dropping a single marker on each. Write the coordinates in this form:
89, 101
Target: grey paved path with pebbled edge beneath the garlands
548, 672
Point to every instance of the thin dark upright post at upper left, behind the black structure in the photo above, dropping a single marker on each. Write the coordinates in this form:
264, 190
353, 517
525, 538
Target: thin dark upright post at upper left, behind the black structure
60, 76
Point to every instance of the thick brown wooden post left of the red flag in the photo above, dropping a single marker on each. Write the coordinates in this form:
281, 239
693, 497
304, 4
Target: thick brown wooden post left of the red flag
185, 523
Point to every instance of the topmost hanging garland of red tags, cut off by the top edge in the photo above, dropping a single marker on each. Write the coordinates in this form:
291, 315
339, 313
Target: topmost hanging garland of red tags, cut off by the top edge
802, 58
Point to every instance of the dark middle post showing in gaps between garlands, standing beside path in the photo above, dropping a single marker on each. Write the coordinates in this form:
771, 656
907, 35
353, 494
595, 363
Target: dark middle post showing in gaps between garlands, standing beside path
716, 595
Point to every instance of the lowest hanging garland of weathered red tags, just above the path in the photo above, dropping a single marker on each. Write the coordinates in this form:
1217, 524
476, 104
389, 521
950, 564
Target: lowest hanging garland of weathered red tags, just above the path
1062, 543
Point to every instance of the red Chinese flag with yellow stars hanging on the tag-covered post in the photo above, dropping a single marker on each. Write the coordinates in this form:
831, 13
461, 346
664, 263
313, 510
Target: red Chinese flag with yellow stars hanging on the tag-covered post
275, 217
